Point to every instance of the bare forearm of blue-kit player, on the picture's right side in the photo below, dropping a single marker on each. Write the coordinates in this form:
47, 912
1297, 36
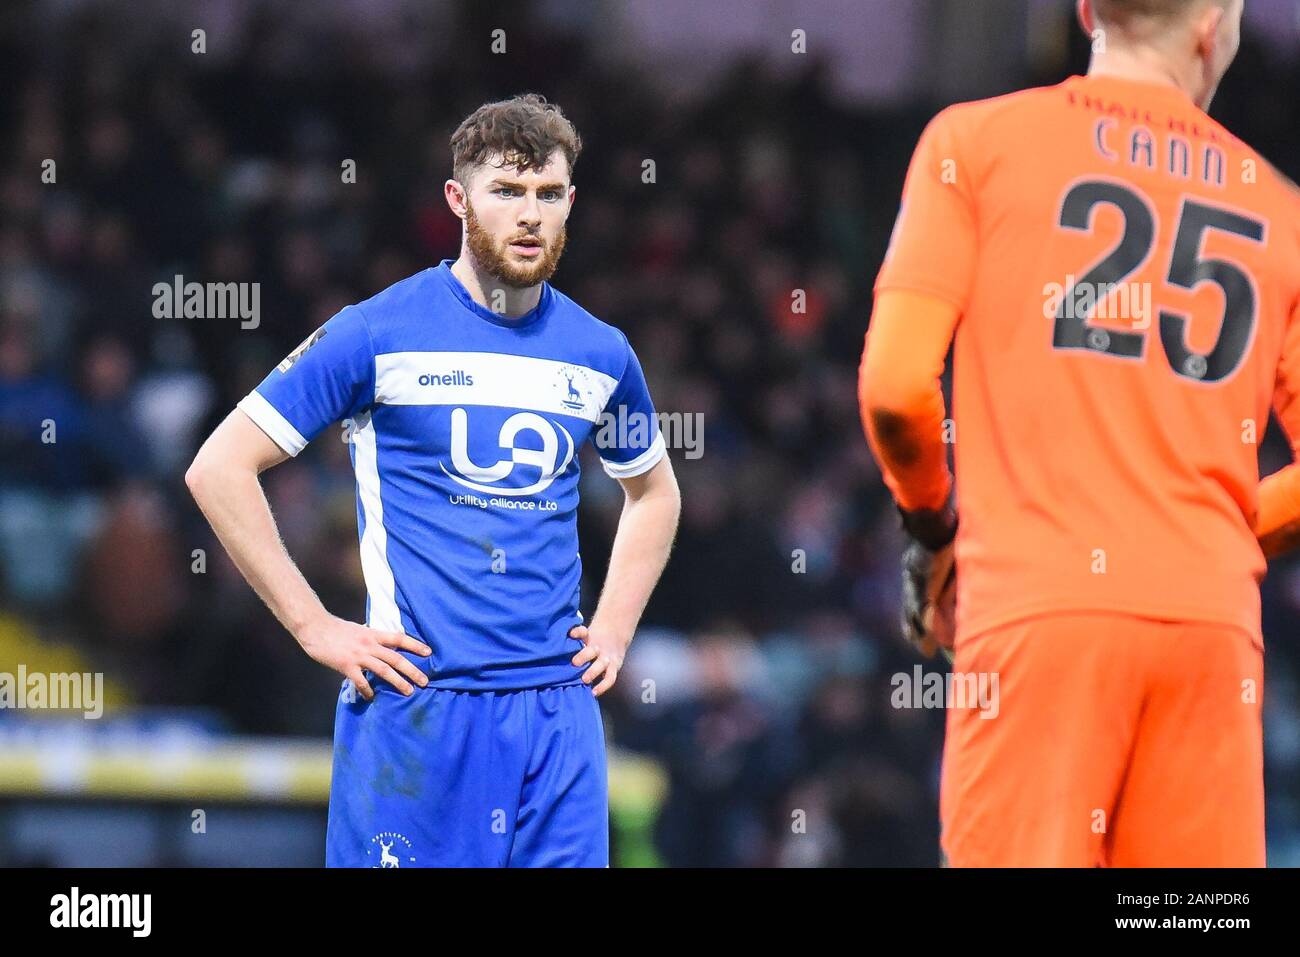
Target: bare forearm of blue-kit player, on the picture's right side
642, 547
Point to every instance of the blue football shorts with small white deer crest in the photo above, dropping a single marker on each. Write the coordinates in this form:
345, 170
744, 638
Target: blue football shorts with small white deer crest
469, 780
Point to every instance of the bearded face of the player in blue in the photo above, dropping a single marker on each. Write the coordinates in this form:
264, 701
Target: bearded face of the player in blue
518, 239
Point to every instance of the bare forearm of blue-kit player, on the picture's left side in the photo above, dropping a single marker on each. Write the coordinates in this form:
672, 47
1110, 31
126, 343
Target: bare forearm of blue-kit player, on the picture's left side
235, 505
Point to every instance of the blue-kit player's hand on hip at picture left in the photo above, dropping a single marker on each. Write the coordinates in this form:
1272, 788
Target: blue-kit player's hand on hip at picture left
350, 649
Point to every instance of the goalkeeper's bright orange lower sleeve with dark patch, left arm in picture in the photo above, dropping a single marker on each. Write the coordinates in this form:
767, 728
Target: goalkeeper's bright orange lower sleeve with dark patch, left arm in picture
902, 399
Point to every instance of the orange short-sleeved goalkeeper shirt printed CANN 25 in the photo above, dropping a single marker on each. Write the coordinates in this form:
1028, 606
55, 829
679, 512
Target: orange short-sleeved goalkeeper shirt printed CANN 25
1128, 276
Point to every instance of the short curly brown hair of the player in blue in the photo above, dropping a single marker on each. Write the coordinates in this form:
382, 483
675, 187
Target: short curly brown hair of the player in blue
525, 129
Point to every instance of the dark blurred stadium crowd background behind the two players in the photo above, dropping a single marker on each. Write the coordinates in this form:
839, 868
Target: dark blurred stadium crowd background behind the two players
770, 739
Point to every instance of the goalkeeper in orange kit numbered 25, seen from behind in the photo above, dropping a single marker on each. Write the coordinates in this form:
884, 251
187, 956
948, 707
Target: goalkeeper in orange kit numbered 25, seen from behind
1120, 280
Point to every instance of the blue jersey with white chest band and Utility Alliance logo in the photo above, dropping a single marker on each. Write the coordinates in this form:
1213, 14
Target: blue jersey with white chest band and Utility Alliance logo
465, 430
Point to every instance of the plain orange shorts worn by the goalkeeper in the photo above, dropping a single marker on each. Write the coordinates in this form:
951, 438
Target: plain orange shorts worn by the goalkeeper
1108, 741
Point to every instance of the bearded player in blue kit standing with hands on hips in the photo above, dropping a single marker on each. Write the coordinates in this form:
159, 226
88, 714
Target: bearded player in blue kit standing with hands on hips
467, 730
